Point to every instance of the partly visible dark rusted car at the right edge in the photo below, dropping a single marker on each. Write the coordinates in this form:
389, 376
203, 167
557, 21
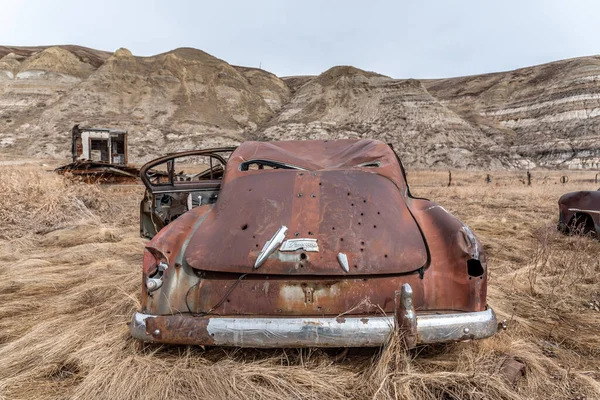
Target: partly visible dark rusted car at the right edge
579, 212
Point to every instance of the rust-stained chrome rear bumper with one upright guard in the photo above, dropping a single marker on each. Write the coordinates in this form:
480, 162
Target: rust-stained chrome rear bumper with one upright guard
315, 331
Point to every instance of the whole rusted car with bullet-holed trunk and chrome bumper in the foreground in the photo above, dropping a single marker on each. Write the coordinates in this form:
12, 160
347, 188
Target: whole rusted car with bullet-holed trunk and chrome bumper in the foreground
302, 244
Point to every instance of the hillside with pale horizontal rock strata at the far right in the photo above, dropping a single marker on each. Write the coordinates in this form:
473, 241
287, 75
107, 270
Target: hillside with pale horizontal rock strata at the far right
548, 114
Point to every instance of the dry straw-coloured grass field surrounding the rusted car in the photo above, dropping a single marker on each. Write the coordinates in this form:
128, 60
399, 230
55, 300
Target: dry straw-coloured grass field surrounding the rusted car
70, 279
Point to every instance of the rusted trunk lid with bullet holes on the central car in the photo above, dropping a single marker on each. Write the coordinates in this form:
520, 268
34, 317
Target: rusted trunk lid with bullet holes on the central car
352, 212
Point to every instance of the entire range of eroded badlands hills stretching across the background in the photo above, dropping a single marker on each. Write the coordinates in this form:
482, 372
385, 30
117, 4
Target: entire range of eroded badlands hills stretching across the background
547, 115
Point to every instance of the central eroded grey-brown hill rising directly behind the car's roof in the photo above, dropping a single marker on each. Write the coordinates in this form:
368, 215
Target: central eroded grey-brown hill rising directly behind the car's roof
345, 102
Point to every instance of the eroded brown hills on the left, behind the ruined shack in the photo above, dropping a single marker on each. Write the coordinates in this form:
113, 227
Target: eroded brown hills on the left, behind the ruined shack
174, 101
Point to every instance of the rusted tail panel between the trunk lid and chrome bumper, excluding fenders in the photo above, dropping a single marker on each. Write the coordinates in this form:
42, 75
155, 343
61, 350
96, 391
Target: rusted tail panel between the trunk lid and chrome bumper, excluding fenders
276, 295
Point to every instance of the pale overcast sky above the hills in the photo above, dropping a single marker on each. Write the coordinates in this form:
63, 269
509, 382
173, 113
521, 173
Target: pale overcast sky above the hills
402, 39
